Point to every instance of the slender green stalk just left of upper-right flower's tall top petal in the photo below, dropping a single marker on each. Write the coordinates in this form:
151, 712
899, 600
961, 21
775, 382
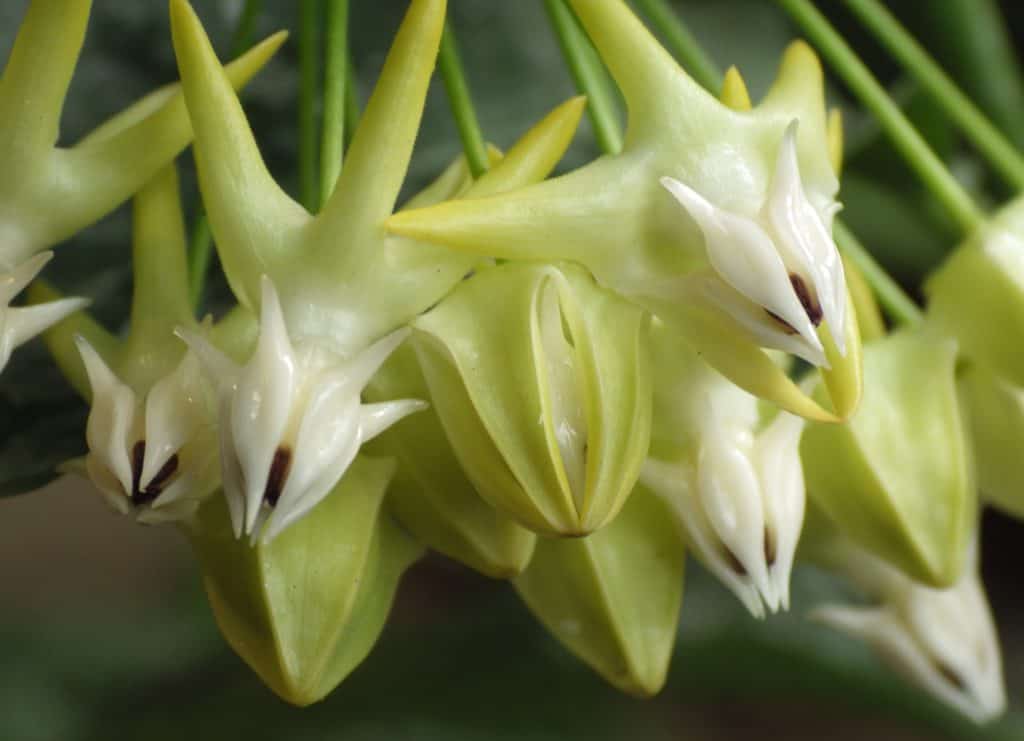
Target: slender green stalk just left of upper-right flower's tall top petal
590, 76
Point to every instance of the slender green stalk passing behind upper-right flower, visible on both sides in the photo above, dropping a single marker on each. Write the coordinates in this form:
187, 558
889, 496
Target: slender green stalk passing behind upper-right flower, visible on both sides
901, 308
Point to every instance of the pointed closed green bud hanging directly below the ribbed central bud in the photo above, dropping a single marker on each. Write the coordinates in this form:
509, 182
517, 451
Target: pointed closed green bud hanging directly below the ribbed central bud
614, 598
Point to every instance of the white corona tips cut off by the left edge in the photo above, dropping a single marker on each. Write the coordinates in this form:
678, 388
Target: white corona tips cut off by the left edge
19, 325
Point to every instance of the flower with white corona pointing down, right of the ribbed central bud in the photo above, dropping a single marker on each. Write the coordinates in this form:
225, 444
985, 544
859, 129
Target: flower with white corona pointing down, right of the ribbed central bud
735, 485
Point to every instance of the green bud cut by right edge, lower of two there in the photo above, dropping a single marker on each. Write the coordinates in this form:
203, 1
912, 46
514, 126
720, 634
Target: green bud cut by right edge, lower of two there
996, 411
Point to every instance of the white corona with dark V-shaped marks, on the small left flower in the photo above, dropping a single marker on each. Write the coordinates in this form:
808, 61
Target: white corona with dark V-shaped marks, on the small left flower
157, 459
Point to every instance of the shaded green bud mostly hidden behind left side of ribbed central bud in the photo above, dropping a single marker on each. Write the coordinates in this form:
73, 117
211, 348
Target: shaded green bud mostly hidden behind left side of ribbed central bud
431, 495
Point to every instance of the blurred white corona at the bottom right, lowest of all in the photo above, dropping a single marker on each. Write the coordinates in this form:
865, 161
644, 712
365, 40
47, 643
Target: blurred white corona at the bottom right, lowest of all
944, 640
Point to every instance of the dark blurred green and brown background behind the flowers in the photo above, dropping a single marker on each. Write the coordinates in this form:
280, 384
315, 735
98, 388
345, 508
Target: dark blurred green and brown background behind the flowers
105, 633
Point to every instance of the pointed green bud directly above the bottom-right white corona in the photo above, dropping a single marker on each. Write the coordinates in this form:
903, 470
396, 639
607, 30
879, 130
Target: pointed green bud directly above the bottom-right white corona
899, 477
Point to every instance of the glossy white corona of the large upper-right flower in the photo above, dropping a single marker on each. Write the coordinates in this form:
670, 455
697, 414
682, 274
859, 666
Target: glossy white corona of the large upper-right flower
781, 270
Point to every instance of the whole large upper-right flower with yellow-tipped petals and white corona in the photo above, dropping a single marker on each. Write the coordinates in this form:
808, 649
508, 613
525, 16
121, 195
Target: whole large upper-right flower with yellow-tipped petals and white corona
741, 258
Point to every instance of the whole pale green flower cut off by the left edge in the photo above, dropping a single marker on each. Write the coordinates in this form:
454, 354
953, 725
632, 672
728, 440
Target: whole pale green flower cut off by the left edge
48, 194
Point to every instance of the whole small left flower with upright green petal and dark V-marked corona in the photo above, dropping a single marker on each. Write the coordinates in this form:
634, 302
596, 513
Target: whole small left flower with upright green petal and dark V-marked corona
151, 431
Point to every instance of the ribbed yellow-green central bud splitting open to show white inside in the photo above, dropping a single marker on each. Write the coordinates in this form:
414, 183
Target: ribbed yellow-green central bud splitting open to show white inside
542, 382
